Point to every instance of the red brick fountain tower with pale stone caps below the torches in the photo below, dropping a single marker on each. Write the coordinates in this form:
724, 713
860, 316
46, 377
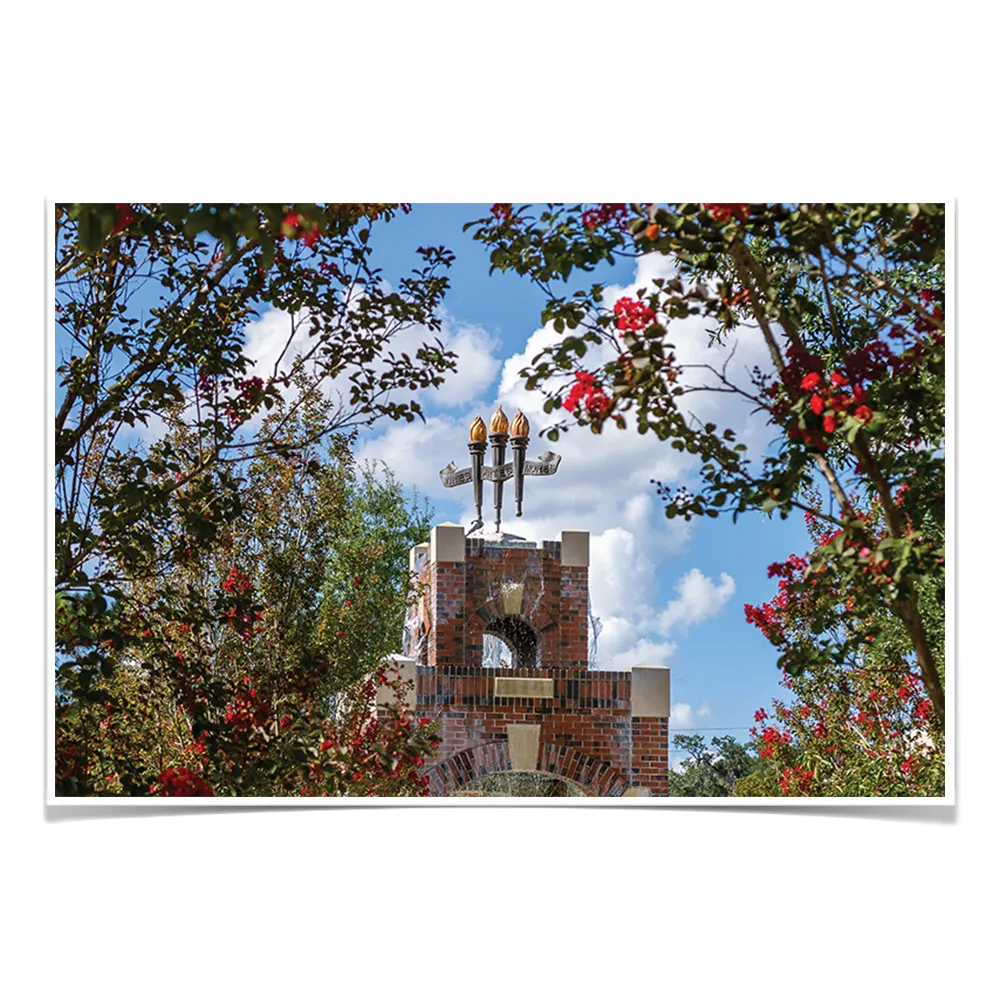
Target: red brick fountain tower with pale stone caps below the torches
548, 719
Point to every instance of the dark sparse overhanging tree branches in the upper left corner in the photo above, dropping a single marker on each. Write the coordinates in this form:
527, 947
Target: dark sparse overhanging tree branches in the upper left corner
152, 302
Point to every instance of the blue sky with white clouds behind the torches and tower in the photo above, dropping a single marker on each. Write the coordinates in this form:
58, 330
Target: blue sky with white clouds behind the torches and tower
666, 591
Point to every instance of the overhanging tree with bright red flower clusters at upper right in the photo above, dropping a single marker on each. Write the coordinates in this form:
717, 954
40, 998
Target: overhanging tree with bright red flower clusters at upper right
849, 302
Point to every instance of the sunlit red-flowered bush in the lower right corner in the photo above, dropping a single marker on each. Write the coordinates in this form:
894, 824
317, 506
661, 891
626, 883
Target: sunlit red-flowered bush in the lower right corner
865, 727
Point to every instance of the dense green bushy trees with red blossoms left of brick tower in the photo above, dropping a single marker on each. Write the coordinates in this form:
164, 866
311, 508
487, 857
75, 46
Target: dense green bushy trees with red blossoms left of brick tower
251, 664
